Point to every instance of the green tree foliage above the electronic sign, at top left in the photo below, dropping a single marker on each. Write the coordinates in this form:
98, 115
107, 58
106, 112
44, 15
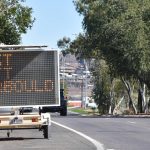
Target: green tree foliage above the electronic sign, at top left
15, 19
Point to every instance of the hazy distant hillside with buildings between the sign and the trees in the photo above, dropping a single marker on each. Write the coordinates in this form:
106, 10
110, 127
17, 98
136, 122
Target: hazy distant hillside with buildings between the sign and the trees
75, 75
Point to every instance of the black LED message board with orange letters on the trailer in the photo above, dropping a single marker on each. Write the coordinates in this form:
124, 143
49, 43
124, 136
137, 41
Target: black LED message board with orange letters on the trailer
29, 78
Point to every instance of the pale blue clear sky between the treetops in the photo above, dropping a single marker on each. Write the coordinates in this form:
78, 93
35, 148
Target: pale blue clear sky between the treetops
54, 20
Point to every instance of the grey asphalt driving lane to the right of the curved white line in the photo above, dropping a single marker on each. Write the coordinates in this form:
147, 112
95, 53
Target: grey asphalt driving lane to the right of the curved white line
113, 133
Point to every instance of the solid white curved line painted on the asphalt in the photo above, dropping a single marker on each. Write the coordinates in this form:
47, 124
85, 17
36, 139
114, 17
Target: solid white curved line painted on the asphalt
98, 145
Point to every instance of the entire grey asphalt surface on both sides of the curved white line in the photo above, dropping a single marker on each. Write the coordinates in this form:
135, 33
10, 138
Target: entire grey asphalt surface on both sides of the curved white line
112, 133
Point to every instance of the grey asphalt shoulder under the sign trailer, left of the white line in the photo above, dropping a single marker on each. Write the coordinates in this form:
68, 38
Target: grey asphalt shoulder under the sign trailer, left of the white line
60, 139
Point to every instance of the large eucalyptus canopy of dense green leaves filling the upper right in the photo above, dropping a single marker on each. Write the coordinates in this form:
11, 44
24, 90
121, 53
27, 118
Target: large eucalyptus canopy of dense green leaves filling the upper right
119, 30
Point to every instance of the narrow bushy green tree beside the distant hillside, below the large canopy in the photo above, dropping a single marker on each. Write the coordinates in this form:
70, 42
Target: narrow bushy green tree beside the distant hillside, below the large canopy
101, 91
